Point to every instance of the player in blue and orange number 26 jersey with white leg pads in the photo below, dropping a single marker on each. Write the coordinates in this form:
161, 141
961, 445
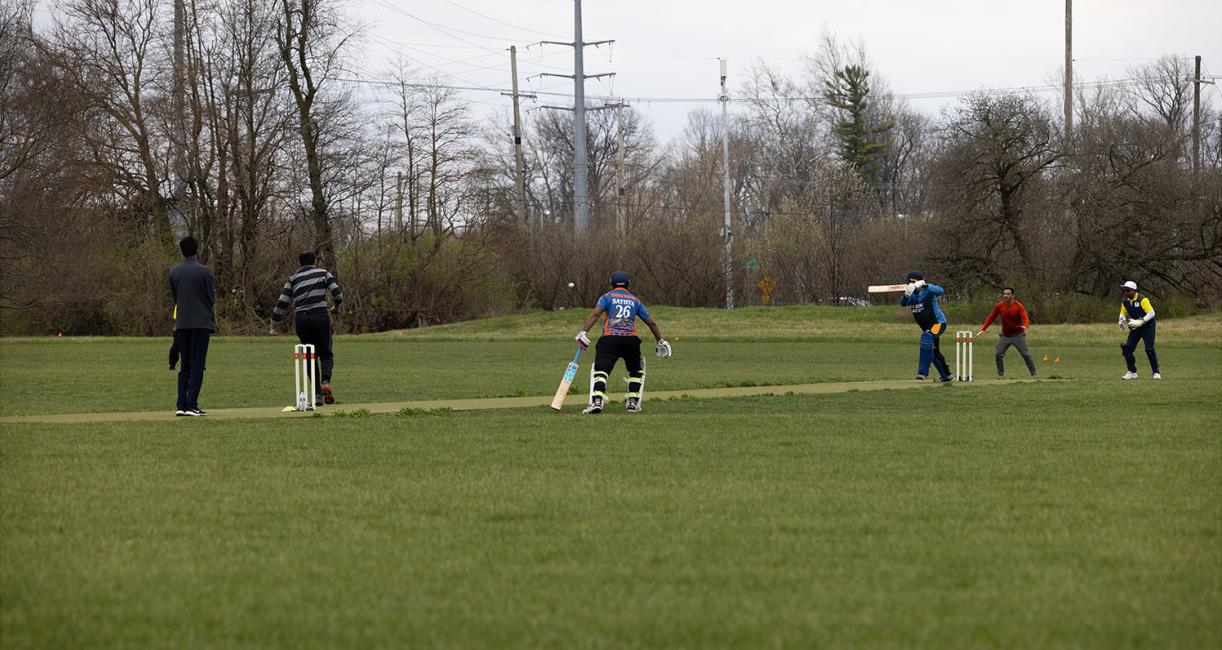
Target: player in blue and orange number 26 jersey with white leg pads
620, 341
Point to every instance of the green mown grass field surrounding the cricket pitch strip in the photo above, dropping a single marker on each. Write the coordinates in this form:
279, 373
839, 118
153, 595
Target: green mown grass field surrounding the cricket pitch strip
1074, 513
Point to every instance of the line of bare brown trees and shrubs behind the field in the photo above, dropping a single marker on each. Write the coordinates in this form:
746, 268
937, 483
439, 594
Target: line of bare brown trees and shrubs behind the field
125, 128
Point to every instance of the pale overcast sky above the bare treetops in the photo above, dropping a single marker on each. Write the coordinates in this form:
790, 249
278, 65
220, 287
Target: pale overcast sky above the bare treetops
670, 48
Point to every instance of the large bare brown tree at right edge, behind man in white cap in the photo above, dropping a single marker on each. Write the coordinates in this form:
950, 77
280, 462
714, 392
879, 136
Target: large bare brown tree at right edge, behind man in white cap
1138, 211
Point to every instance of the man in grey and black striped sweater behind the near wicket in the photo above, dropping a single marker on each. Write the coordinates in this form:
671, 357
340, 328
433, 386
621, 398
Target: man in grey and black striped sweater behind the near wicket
307, 290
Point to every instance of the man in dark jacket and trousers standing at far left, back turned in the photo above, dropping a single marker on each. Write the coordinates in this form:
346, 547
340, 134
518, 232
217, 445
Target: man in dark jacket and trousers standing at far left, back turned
195, 294
